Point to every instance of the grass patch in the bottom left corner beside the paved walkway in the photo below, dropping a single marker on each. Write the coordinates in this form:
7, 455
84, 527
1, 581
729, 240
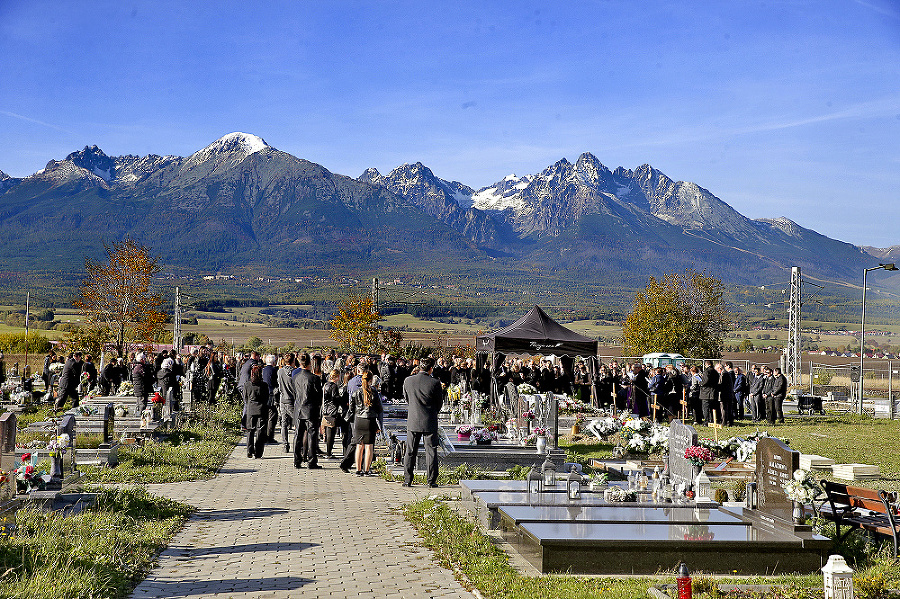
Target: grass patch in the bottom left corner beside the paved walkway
102, 552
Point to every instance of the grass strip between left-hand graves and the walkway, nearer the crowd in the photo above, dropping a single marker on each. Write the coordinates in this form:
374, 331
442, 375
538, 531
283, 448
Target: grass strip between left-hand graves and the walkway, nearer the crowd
196, 451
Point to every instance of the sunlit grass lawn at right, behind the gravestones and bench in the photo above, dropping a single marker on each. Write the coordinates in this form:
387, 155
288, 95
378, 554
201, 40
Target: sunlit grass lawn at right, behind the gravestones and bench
845, 438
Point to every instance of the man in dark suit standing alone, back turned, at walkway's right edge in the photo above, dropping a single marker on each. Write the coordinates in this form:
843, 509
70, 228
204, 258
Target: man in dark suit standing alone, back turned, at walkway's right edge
425, 397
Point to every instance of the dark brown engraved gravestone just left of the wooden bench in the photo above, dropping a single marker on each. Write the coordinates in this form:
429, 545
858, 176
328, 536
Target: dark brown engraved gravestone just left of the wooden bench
775, 465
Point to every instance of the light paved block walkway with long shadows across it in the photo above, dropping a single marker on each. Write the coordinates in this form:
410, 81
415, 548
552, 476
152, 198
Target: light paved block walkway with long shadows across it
265, 529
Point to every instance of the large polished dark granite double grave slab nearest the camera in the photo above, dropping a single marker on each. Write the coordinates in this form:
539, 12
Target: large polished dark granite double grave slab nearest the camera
648, 538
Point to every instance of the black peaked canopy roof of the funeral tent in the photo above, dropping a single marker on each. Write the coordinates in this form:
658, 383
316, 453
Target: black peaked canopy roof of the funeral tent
537, 333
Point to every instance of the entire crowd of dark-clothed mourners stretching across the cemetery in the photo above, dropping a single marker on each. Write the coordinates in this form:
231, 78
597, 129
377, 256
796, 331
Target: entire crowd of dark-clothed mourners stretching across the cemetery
343, 395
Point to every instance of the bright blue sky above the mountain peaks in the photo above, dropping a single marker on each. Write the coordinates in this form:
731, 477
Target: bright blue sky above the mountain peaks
785, 108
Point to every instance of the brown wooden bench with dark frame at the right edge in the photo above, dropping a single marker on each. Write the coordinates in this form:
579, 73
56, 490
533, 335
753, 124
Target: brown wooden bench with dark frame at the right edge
860, 508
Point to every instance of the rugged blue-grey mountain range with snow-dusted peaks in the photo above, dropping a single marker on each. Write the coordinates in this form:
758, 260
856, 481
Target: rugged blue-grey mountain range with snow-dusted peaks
242, 203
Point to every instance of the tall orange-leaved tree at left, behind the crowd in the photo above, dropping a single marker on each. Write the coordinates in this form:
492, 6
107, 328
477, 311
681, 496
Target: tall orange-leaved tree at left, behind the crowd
117, 294
